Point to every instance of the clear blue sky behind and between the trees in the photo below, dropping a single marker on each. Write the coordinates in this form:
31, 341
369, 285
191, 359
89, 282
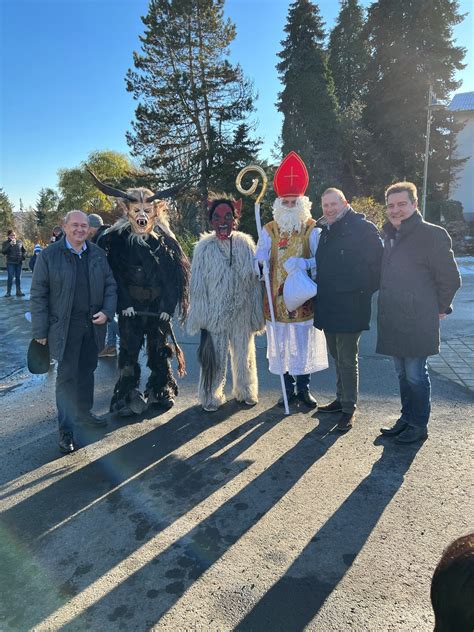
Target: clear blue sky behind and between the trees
63, 64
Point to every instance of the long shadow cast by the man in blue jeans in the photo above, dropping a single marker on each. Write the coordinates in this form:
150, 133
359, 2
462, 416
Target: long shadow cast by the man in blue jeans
296, 598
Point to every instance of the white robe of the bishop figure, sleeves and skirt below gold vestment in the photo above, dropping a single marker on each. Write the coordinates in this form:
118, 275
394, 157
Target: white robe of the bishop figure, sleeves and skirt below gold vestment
302, 346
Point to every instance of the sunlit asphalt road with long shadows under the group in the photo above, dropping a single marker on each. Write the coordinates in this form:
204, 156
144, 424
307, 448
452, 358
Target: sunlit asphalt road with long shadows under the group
244, 519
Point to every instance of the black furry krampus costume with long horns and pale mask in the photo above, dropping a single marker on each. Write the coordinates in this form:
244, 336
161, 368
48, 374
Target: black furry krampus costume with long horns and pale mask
152, 275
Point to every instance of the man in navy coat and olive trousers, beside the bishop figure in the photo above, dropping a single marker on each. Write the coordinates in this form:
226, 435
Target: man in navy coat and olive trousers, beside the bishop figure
348, 262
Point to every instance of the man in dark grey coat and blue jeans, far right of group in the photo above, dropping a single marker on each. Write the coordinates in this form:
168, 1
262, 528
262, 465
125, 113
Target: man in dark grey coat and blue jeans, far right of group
418, 282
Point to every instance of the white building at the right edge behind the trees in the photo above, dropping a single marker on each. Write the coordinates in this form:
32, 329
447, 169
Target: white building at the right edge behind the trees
462, 190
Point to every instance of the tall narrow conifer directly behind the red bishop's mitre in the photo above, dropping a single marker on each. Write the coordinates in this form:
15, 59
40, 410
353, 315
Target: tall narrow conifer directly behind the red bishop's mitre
307, 101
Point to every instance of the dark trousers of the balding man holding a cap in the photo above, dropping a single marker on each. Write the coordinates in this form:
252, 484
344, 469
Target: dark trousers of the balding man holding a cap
75, 377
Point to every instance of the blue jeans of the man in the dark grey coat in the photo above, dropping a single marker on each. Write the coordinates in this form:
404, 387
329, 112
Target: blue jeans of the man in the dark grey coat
415, 390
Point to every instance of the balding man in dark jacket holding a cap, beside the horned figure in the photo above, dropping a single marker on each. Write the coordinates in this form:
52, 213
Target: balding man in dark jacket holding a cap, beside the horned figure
73, 295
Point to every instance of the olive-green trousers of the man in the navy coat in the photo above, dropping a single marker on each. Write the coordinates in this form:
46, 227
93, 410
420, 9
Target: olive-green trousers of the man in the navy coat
344, 348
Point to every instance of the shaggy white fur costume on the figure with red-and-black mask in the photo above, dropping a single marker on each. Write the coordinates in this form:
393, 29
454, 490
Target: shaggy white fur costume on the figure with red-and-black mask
226, 299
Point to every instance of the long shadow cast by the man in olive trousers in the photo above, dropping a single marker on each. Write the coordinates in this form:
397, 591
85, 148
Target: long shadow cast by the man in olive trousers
163, 580
